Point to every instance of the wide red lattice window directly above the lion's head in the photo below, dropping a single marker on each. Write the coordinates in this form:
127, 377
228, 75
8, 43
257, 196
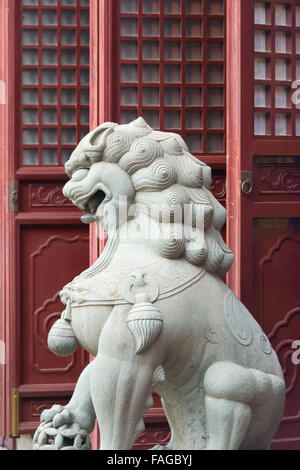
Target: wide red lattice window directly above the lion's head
172, 68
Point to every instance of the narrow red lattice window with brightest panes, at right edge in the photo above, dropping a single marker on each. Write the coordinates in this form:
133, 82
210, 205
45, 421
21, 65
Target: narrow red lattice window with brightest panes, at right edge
276, 66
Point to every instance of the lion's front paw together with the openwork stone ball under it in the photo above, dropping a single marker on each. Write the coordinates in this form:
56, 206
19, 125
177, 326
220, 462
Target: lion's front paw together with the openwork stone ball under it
62, 429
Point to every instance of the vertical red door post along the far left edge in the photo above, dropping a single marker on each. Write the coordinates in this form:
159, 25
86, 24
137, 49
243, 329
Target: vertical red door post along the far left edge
9, 330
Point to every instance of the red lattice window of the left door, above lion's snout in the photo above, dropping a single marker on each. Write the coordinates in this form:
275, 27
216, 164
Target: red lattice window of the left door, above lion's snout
55, 79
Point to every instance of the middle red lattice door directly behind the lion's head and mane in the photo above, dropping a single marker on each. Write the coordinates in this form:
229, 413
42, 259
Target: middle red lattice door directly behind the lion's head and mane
164, 60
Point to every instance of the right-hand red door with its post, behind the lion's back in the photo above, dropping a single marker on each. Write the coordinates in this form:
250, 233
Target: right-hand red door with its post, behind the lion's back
264, 180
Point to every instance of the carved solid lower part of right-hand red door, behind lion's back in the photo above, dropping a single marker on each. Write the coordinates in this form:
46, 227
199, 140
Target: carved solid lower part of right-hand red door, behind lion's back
276, 254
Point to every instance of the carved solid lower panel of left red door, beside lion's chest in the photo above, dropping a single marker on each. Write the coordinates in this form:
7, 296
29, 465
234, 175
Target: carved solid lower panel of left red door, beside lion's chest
50, 256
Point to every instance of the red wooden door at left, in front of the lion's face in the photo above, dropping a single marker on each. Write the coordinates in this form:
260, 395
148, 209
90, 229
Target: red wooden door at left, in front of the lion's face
45, 71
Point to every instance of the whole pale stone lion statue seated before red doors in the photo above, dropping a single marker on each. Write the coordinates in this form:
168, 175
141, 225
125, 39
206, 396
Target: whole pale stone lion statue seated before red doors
153, 309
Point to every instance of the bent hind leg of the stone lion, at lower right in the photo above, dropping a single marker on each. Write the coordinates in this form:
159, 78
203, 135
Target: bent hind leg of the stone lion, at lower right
240, 405
